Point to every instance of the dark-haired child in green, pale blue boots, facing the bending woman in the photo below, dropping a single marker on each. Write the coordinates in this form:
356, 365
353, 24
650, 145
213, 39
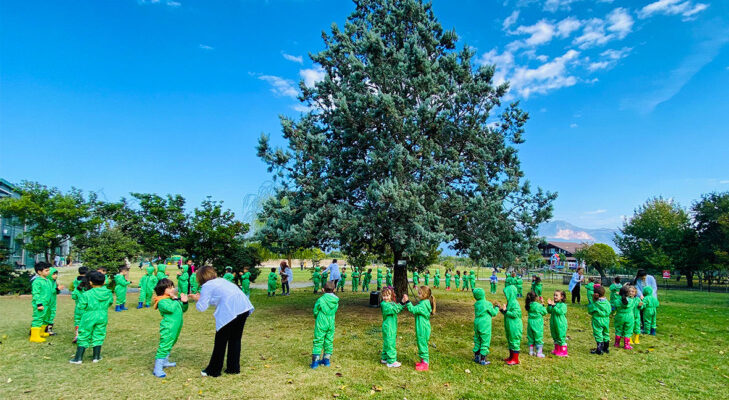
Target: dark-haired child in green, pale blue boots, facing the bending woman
171, 309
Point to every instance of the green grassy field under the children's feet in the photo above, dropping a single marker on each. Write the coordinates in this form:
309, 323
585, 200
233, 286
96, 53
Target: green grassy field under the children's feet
688, 359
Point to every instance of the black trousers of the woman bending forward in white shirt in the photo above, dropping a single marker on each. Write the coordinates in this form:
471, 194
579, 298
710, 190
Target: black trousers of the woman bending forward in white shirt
228, 336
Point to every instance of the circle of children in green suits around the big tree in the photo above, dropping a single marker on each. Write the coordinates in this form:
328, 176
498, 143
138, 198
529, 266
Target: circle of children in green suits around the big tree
93, 298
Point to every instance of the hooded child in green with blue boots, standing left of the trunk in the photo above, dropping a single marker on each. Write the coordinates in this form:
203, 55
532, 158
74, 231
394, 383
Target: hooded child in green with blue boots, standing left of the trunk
325, 310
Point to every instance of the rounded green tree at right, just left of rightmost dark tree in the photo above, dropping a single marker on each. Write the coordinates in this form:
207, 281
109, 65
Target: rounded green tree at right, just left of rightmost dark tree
659, 236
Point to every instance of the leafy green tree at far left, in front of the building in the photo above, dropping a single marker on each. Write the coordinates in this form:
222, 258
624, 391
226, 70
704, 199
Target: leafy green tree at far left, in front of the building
51, 217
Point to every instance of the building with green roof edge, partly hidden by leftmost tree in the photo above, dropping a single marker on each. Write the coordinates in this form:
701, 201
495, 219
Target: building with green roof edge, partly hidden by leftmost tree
11, 229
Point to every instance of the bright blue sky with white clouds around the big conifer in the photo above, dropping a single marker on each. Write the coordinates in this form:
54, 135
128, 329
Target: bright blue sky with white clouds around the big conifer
628, 99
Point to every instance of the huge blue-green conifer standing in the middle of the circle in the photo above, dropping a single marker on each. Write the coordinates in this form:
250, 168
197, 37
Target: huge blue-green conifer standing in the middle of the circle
402, 150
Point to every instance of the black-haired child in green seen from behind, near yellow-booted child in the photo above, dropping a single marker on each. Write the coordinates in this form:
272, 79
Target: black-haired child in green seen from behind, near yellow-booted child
95, 303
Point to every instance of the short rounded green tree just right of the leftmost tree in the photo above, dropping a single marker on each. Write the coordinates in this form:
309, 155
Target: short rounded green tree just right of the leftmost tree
109, 248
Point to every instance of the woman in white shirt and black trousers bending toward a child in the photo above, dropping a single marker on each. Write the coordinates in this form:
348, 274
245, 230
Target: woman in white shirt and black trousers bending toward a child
232, 308
